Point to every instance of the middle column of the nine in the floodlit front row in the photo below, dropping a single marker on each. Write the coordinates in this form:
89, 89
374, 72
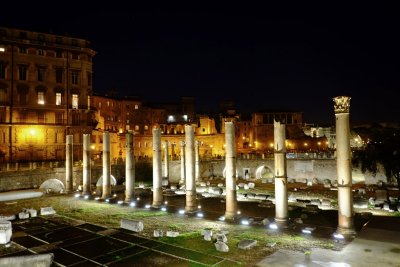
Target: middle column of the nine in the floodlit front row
157, 179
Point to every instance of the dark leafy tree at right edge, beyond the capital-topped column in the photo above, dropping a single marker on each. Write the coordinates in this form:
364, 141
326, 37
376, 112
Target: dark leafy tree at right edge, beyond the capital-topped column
383, 148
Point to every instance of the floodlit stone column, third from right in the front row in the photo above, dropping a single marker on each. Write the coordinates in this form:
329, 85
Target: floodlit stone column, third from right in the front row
230, 164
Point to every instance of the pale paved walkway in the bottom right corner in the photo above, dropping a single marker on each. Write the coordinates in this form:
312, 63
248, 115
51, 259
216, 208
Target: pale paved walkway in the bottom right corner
377, 245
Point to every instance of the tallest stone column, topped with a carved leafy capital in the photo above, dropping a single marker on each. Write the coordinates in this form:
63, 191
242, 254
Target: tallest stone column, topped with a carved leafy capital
343, 165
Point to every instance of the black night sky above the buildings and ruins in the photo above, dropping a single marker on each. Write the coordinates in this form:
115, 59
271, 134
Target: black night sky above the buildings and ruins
262, 57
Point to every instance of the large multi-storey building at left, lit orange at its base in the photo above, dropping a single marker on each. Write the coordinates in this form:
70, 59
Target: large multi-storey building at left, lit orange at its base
45, 93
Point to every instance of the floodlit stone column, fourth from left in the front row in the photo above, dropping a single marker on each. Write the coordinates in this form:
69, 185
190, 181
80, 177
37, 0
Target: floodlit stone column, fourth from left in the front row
129, 168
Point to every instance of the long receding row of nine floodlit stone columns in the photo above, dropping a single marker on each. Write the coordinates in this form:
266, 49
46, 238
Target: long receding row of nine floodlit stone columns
190, 171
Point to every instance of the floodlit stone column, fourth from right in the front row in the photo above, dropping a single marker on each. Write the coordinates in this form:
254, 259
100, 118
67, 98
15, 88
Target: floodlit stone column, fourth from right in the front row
189, 167
